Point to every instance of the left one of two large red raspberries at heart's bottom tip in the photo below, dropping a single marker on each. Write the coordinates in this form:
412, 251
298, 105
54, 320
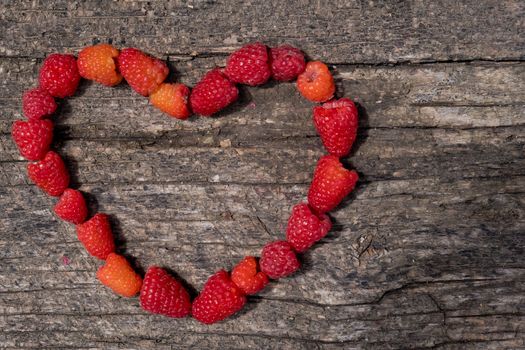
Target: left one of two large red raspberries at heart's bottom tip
163, 294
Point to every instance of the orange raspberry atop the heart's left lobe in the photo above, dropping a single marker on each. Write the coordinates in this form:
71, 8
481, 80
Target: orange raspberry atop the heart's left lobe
98, 63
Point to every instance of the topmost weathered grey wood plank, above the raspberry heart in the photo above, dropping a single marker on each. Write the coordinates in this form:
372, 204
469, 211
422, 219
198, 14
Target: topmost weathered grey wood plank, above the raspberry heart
339, 32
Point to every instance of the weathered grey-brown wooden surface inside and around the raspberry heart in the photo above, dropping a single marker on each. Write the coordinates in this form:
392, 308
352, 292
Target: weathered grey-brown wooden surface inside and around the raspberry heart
429, 251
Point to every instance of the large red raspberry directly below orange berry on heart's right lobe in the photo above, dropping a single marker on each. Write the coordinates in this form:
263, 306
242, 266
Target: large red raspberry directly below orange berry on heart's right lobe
336, 123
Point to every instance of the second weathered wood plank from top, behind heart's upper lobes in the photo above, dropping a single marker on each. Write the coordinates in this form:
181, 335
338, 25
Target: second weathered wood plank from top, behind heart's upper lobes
430, 95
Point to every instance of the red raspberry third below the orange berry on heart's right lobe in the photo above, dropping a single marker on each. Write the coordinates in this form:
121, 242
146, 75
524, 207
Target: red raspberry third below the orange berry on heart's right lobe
306, 227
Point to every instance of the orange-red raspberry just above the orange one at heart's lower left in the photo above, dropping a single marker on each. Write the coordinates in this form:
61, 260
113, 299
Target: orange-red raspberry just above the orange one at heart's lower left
96, 236
